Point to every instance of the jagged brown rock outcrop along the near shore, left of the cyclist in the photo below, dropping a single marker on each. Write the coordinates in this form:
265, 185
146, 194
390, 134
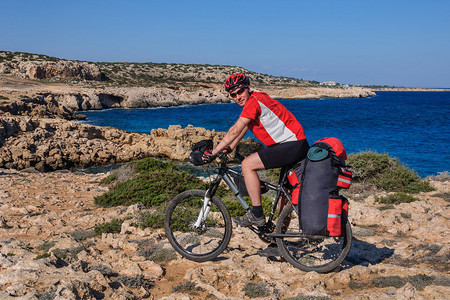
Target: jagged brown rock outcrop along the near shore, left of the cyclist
40, 133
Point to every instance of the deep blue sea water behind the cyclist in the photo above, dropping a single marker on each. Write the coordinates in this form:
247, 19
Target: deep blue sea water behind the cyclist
412, 126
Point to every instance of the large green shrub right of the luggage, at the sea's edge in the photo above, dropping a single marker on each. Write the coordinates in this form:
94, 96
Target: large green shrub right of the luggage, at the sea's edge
385, 172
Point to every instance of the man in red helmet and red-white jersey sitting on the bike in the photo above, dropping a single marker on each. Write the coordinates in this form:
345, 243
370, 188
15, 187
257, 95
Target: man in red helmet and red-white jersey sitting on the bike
274, 126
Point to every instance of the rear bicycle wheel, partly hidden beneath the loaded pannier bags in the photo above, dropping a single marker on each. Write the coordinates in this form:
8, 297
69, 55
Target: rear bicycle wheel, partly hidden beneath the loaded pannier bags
321, 255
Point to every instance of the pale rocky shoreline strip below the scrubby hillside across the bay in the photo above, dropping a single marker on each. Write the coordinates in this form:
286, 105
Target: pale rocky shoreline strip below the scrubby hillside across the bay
80, 98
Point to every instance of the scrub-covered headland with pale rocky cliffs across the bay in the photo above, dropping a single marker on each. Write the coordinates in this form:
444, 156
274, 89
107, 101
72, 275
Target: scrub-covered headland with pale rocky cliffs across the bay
95, 85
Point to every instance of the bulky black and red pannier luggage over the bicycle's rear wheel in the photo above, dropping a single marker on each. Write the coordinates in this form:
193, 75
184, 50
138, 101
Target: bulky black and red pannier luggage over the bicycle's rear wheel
316, 181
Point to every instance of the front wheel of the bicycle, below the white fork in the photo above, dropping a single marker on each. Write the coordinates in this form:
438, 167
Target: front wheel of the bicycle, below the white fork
197, 239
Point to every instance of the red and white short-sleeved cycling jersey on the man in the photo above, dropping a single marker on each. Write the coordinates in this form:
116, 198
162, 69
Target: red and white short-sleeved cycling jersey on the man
270, 121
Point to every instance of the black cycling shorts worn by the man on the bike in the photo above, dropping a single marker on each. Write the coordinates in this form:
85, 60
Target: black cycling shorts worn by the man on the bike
285, 154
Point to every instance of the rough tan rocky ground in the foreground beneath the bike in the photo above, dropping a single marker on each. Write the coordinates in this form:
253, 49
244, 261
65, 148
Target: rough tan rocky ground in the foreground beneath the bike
48, 250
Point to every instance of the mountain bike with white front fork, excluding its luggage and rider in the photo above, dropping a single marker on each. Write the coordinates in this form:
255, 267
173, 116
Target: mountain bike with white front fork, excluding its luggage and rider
198, 225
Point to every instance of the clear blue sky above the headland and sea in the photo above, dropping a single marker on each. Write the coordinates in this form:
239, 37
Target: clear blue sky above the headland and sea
396, 42
